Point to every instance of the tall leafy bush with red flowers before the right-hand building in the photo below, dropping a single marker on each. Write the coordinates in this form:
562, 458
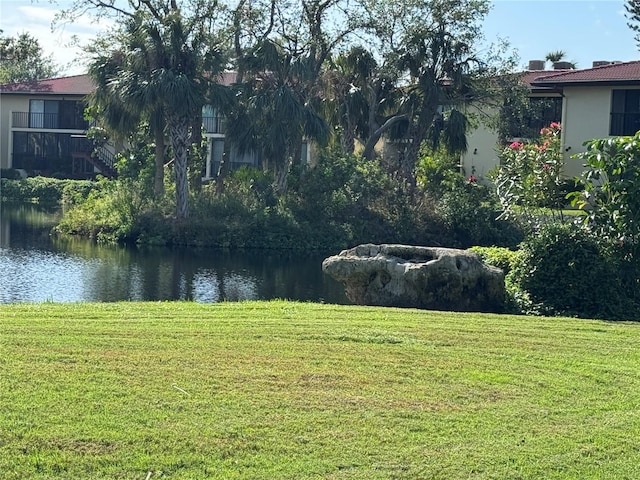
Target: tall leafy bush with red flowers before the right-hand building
530, 174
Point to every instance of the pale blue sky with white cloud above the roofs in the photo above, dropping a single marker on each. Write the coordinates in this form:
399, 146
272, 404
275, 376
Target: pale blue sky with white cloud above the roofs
586, 30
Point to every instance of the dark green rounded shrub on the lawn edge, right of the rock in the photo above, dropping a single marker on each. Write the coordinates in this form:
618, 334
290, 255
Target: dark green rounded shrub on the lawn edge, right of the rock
562, 270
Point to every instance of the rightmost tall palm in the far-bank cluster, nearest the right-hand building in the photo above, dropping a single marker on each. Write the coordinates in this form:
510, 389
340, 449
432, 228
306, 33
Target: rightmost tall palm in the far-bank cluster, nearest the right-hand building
432, 44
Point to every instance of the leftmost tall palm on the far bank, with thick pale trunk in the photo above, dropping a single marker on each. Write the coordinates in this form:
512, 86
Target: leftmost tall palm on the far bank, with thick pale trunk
167, 57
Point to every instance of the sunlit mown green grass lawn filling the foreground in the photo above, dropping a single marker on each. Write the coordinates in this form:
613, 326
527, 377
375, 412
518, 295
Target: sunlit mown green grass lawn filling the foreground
281, 390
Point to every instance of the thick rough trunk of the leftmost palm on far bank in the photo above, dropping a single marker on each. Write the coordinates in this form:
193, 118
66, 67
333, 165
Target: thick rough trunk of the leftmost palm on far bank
179, 130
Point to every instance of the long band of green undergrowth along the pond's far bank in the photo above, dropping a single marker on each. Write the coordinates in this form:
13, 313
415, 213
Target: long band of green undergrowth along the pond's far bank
340, 202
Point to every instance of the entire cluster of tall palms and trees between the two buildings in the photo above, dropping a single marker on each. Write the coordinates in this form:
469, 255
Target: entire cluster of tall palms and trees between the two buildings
306, 70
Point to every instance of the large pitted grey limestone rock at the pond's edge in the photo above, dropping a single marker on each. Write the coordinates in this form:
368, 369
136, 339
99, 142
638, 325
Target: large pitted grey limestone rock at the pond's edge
432, 278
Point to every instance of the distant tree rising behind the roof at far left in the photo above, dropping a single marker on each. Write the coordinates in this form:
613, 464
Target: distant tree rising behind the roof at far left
22, 59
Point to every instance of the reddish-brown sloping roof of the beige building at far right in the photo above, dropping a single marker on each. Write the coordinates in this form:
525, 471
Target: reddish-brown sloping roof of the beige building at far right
627, 73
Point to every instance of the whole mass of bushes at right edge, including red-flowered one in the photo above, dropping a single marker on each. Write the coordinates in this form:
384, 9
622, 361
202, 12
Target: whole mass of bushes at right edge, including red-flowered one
583, 265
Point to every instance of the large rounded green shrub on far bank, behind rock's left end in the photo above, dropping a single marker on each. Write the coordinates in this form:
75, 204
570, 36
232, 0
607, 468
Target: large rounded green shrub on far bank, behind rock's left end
350, 200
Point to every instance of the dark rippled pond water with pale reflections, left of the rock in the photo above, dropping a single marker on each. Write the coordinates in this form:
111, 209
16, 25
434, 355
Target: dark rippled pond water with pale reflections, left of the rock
36, 267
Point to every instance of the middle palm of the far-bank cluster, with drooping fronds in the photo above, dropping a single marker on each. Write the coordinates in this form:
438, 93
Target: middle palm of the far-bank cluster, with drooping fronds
280, 63
